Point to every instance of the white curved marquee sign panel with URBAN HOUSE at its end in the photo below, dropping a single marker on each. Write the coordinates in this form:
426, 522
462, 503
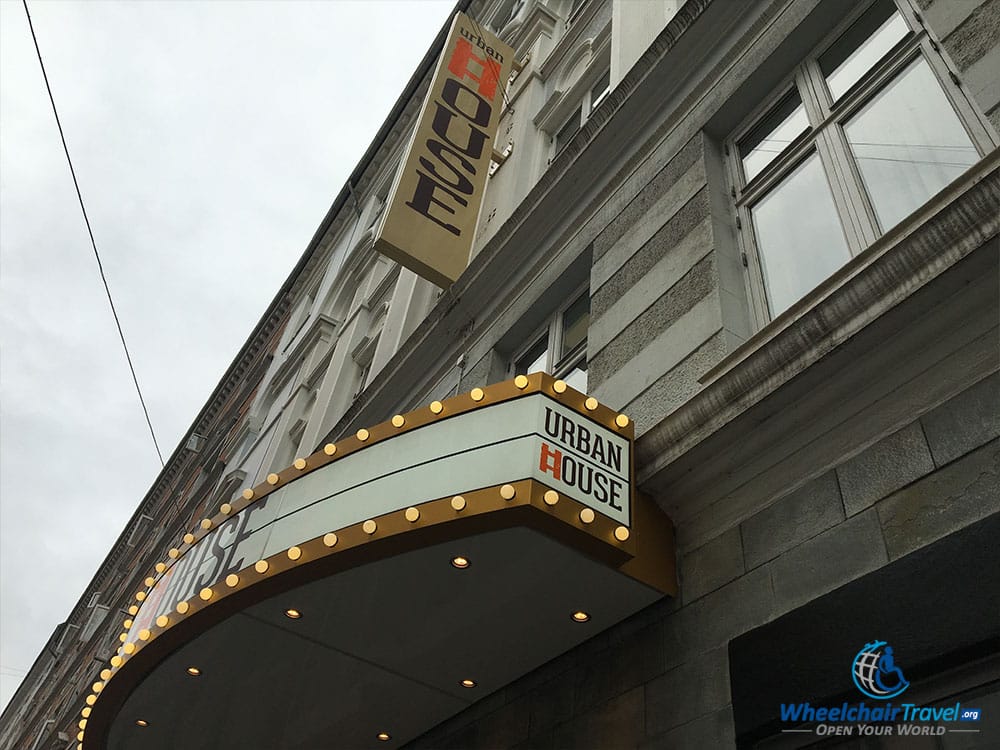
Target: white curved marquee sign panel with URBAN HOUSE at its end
533, 437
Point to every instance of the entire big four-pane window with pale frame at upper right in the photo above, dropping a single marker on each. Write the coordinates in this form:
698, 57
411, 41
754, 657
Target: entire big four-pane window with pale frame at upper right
863, 133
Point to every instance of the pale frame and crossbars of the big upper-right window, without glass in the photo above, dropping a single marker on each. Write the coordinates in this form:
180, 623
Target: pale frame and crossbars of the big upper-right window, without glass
826, 138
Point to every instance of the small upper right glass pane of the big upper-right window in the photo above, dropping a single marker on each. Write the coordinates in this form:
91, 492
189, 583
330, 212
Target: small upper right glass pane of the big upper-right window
861, 46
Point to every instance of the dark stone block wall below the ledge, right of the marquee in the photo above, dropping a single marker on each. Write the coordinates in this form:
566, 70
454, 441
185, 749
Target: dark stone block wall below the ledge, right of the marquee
662, 679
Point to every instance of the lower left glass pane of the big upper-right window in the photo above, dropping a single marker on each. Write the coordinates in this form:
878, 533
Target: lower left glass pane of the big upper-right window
800, 238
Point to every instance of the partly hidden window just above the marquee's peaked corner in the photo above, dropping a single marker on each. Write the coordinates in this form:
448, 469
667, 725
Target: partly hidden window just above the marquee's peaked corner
560, 347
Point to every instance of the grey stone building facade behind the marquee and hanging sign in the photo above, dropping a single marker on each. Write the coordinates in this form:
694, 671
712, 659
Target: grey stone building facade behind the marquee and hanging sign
765, 231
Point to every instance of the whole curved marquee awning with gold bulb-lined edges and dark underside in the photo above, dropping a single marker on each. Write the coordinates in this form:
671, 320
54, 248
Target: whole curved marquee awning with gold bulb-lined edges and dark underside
383, 584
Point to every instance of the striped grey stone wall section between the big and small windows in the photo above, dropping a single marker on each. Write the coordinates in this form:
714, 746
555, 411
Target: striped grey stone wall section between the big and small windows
657, 319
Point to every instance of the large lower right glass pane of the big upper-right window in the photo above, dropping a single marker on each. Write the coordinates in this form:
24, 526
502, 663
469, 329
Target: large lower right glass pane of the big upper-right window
909, 144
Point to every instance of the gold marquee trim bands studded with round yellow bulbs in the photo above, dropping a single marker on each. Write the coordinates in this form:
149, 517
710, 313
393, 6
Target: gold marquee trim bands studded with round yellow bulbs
611, 540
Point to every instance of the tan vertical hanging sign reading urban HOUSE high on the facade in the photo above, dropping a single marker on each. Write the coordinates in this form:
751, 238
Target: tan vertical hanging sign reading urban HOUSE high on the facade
431, 215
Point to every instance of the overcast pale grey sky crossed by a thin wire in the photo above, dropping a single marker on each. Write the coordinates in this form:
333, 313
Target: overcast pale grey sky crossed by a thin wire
209, 139
